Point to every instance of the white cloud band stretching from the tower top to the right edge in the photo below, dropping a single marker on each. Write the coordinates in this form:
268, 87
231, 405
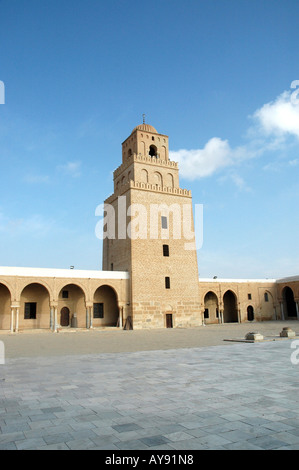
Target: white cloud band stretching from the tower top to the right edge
272, 124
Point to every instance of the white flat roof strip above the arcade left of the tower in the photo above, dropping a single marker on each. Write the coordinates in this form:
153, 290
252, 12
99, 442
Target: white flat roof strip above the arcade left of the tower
62, 273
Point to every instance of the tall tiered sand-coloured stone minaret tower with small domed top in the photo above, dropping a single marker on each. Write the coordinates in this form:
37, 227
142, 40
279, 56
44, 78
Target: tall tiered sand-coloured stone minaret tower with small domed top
150, 206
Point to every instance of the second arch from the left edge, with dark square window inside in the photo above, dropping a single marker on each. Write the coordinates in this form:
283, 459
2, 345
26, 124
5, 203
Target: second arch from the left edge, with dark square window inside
34, 306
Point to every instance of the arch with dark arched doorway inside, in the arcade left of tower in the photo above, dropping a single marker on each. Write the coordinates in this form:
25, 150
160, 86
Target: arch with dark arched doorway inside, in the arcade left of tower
73, 297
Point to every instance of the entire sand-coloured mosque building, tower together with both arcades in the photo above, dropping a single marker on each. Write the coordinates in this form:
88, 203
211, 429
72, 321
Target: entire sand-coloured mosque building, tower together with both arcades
150, 273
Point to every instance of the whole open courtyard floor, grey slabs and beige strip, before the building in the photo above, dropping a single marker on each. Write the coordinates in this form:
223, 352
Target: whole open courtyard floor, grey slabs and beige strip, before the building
223, 396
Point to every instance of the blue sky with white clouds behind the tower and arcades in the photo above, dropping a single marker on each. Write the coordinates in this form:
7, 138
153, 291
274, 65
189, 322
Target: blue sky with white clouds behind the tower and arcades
214, 75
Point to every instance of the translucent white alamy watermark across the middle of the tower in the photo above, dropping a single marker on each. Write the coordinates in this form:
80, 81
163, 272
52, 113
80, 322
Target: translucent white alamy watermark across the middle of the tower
151, 222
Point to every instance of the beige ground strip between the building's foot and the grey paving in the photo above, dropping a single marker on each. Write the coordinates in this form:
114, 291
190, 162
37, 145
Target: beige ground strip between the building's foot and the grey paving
33, 343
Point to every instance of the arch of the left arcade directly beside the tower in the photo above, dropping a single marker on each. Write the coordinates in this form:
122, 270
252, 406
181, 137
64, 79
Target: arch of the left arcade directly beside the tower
105, 306
